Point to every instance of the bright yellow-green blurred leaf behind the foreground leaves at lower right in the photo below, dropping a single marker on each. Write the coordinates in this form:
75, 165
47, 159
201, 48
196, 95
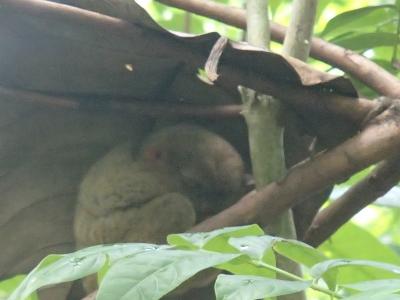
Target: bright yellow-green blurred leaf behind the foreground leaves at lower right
354, 242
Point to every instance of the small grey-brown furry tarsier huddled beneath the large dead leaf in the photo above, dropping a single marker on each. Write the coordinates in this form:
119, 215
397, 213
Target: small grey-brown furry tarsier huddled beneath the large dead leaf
179, 176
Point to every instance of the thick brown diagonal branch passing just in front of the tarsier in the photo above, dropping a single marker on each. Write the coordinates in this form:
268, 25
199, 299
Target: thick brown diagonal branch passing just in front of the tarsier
378, 141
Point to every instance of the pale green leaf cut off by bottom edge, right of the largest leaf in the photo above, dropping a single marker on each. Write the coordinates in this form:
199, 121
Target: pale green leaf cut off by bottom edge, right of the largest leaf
235, 287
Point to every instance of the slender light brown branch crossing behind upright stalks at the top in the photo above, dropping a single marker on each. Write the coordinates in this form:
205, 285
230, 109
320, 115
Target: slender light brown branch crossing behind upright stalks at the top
352, 63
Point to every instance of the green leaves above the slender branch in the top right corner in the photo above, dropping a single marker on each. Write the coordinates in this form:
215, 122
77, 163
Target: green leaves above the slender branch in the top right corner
373, 30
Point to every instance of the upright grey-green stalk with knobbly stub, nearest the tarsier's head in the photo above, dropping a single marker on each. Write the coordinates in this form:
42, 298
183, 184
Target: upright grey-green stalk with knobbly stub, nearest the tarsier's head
261, 113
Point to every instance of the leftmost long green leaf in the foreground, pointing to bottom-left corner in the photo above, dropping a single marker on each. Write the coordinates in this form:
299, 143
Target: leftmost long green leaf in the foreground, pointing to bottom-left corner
55, 269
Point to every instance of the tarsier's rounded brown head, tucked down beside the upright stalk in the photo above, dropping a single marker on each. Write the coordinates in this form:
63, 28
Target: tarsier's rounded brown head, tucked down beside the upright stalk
211, 170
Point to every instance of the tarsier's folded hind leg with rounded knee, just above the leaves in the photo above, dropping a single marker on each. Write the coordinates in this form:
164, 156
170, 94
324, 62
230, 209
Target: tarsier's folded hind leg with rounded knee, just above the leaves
150, 223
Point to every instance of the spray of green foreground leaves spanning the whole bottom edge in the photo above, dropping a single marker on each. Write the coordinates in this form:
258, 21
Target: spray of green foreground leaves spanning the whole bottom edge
146, 271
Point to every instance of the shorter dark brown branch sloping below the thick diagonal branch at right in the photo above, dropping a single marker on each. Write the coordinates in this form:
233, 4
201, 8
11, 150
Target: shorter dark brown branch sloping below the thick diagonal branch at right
375, 185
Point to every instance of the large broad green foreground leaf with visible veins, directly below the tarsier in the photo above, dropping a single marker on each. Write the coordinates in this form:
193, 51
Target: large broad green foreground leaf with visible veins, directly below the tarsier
150, 275
